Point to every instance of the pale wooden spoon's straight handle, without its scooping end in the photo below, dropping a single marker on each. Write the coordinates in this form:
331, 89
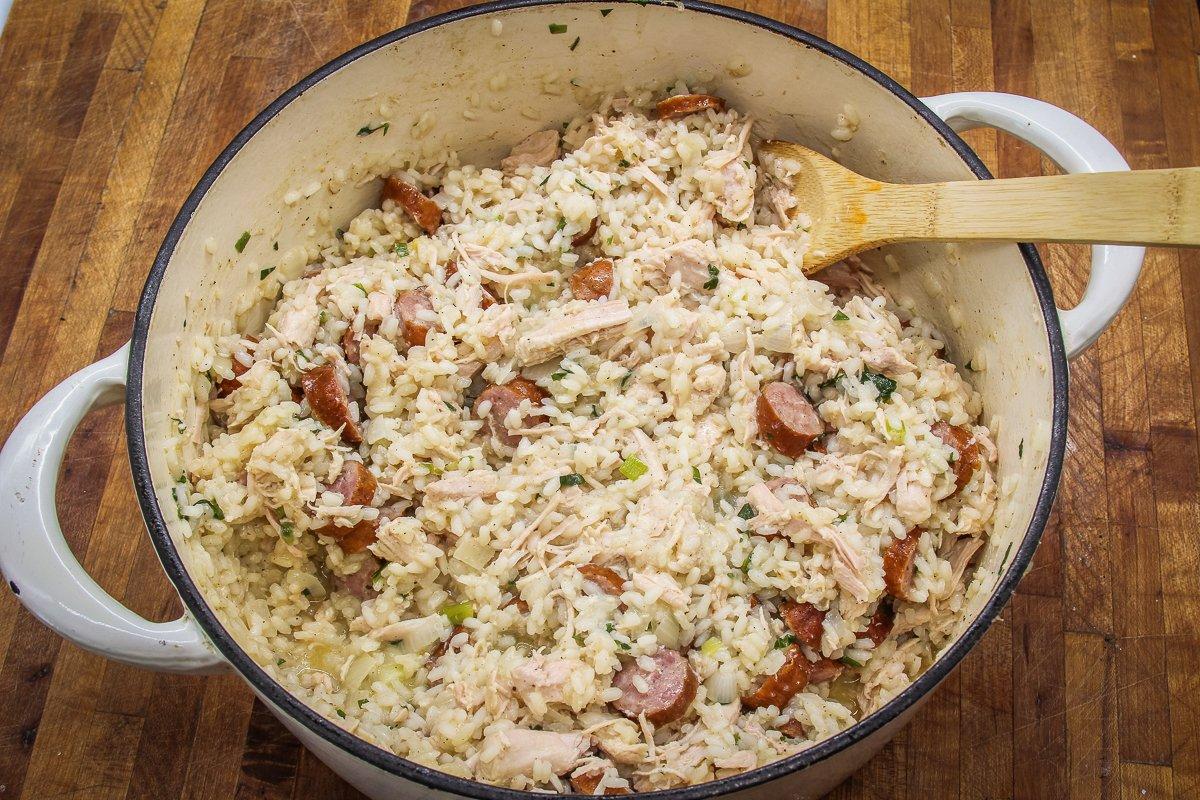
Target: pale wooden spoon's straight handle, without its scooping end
1156, 207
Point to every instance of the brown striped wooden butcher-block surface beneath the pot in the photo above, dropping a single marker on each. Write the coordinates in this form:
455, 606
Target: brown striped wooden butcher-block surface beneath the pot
1089, 685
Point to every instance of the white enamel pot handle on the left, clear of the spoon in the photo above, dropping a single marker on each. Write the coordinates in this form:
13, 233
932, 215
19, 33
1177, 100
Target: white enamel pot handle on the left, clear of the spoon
39, 566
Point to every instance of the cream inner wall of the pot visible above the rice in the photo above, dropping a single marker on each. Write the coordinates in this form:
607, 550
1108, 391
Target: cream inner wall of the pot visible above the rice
487, 81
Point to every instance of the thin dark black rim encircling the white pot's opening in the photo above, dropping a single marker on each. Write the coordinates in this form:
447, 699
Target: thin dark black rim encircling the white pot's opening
267, 688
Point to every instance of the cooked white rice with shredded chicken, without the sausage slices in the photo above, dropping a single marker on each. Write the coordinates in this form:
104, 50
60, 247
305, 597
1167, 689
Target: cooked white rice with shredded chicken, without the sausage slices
674, 389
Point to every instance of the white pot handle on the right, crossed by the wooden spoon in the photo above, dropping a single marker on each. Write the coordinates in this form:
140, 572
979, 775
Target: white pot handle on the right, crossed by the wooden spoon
1077, 148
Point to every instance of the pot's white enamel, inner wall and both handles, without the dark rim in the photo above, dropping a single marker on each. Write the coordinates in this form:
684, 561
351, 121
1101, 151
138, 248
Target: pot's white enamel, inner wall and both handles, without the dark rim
487, 81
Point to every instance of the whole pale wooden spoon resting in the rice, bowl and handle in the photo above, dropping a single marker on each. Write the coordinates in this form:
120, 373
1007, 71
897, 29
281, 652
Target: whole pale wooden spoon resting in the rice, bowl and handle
851, 214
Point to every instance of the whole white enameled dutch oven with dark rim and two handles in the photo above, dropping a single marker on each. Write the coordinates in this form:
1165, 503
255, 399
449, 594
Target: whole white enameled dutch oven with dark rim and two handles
479, 81
